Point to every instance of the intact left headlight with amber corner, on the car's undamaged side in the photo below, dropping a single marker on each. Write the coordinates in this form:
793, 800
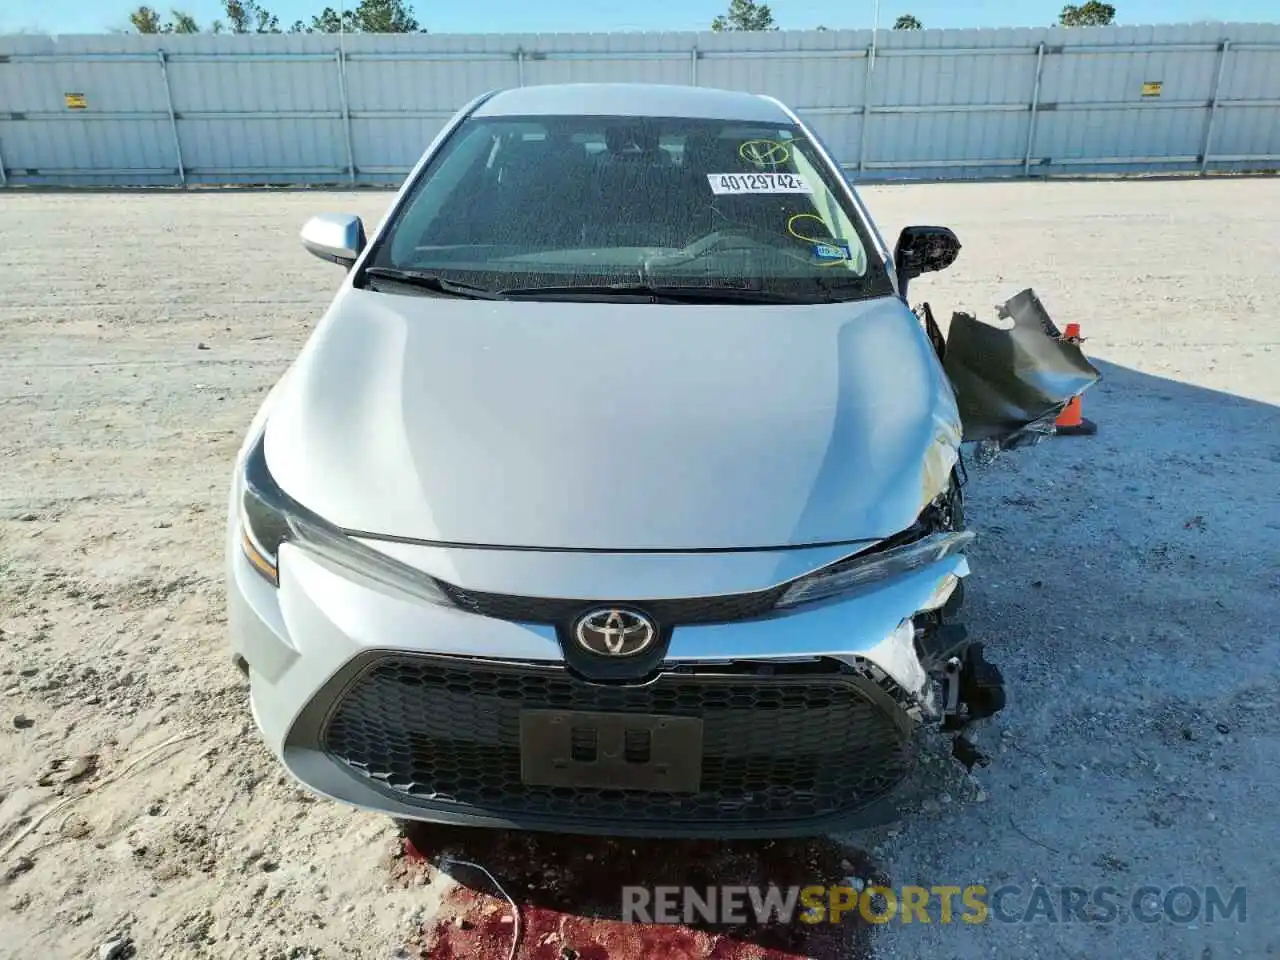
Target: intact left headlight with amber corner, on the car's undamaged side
271, 518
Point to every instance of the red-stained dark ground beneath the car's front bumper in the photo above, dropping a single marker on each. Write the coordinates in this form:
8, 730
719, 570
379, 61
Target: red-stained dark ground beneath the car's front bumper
569, 892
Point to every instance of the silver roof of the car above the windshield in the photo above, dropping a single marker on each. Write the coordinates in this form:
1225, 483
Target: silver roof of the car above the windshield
633, 100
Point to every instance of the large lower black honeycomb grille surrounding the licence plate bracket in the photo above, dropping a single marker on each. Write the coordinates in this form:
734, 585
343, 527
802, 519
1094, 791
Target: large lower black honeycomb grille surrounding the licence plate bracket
774, 749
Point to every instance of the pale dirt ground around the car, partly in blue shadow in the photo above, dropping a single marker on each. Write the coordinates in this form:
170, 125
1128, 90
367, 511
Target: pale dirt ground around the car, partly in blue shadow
1128, 584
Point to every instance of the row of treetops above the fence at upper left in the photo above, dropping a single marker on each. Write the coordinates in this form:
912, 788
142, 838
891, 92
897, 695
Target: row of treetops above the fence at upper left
252, 17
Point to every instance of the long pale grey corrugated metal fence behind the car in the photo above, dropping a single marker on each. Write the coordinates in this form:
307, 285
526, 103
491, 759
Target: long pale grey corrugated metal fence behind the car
127, 109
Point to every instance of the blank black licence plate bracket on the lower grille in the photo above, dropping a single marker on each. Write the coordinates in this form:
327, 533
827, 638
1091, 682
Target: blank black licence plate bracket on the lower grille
611, 751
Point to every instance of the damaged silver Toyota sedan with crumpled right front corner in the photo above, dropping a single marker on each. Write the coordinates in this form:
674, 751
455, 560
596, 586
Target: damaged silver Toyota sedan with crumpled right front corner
620, 490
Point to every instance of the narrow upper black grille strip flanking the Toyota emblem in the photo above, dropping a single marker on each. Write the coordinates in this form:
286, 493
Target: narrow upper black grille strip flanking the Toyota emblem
669, 614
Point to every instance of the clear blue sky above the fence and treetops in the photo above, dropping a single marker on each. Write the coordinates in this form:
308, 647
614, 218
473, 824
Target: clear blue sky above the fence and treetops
566, 16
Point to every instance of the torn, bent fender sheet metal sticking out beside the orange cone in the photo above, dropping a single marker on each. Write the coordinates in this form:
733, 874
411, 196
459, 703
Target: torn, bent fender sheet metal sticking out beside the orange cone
1013, 382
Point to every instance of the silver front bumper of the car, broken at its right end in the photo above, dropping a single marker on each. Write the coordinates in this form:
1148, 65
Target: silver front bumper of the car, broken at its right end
414, 710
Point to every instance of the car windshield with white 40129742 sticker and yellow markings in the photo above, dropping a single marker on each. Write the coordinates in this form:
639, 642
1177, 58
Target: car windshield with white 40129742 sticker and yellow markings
532, 204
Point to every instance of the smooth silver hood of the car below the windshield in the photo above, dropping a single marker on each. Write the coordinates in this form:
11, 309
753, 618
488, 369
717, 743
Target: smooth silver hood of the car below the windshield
615, 427
